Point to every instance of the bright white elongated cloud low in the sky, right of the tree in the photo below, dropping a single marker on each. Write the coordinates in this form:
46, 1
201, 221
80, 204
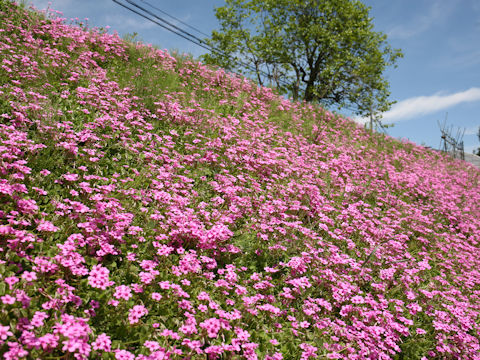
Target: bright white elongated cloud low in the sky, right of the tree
422, 105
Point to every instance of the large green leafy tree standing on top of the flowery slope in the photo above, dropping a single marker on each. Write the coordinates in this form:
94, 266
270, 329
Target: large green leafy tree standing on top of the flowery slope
315, 50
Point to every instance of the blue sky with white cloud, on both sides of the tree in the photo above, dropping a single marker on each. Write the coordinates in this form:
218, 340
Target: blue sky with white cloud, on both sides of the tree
439, 74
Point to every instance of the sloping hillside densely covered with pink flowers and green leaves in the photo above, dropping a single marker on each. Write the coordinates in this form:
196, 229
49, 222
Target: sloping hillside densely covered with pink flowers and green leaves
154, 208
